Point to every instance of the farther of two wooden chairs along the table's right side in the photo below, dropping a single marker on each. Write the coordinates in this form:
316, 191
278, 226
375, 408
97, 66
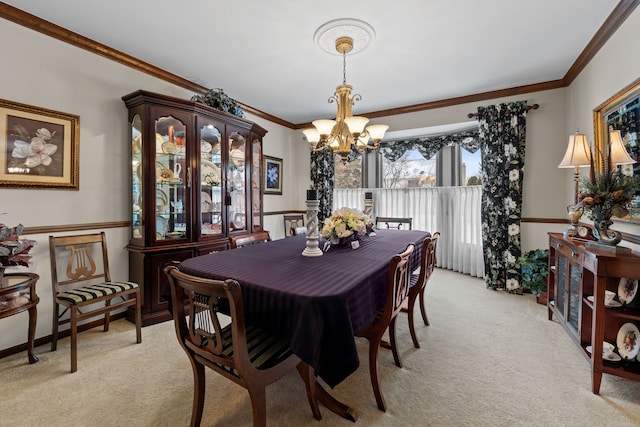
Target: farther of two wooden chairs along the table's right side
419, 283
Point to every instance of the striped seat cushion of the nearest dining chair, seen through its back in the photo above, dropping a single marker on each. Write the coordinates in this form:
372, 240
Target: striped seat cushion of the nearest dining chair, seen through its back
265, 350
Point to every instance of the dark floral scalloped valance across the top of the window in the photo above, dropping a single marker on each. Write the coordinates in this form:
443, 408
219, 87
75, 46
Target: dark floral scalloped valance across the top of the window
430, 145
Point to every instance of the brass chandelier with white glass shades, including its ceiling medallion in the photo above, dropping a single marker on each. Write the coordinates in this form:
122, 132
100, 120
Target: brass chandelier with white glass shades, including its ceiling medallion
347, 132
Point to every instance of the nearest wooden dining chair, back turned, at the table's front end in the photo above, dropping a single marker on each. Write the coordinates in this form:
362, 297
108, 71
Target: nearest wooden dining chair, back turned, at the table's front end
213, 332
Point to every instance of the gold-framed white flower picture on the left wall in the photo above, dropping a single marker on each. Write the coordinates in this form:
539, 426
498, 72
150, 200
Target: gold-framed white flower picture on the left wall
38, 147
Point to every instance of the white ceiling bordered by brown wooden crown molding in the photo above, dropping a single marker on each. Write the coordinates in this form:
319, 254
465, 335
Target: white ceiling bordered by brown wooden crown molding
263, 54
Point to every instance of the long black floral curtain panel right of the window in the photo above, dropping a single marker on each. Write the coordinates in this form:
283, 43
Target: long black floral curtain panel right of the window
502, 139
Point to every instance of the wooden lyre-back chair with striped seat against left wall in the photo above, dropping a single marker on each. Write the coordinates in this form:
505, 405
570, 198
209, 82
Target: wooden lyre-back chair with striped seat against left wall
81, 279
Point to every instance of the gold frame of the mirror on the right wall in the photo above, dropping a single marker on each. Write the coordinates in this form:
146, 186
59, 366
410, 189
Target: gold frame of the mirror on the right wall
601, 129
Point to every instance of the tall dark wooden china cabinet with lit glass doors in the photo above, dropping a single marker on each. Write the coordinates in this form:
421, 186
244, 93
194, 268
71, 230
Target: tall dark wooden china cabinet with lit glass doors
195, 181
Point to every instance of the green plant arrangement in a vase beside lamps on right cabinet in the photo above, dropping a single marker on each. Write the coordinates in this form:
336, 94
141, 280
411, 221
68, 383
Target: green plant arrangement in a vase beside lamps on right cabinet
604, 194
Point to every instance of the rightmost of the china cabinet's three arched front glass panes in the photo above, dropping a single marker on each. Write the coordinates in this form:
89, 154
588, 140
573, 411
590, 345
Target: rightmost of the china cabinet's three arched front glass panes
236, 182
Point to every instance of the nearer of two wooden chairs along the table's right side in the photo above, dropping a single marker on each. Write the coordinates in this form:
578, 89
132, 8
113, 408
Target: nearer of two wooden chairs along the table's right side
397, 291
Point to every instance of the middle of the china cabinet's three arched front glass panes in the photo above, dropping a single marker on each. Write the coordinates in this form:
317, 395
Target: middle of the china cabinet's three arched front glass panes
211, 203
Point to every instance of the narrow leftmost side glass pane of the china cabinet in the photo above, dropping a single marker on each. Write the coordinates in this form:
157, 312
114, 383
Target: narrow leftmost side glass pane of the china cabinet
137, 229
